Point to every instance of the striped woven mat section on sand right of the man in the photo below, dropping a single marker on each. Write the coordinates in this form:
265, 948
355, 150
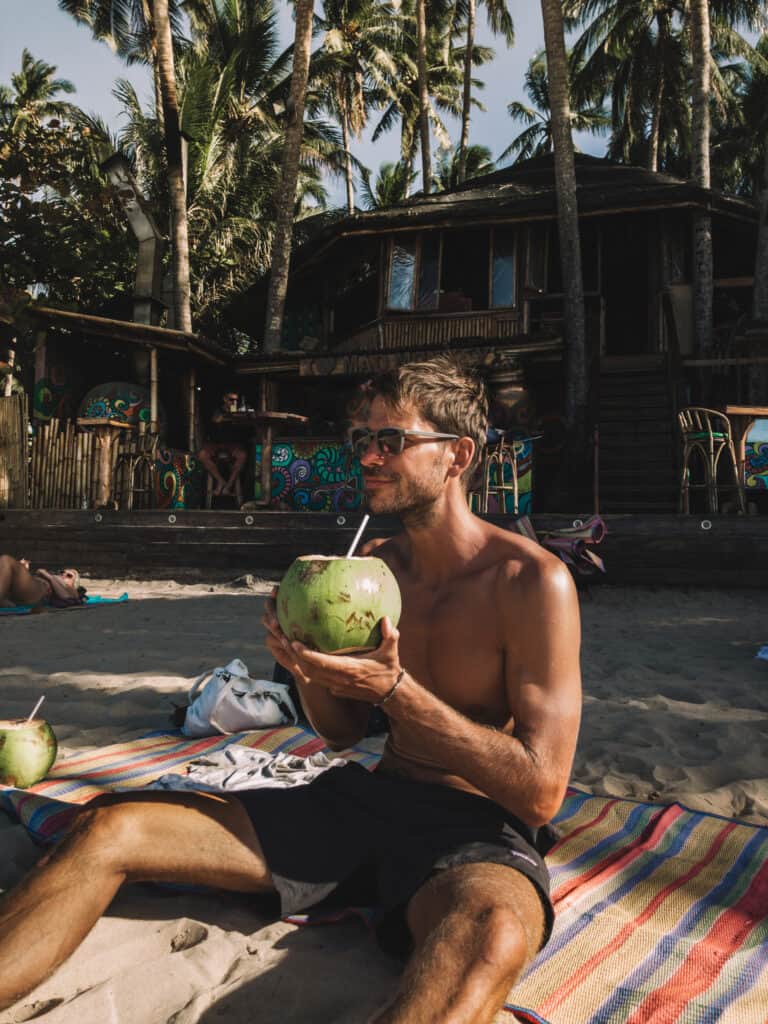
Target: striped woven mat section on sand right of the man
662, 919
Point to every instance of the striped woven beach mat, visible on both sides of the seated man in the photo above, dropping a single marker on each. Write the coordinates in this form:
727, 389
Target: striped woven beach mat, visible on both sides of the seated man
662, 912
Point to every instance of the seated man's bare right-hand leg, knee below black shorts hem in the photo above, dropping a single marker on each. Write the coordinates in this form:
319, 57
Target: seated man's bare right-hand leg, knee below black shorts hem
476, 928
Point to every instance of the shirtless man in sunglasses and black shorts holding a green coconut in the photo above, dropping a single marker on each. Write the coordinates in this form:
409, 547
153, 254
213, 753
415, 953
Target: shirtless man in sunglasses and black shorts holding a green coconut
482, 687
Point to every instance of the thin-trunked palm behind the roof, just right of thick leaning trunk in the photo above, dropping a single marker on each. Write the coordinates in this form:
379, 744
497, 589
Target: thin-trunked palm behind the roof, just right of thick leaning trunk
357, 66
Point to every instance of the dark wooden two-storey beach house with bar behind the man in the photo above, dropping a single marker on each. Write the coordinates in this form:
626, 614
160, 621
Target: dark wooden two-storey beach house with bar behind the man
474, 272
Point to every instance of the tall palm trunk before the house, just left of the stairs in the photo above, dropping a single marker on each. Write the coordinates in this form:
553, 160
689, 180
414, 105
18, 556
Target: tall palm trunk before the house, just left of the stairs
568, 218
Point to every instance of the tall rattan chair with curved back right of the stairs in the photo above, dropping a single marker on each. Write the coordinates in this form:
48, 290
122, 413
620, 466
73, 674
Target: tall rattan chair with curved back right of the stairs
706, 435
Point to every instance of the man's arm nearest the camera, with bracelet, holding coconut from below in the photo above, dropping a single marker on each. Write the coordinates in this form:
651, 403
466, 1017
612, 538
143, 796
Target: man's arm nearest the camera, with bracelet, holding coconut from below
526, 766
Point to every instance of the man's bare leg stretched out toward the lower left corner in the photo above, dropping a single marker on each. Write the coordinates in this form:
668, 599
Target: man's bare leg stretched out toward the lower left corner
193, 839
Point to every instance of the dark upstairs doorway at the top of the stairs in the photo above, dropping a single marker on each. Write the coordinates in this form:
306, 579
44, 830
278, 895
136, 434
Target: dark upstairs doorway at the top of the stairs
628, 301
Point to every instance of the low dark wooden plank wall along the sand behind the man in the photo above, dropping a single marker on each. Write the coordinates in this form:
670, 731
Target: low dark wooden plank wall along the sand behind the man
655, 550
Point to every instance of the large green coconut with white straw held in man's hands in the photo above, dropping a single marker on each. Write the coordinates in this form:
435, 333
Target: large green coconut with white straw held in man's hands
336, 605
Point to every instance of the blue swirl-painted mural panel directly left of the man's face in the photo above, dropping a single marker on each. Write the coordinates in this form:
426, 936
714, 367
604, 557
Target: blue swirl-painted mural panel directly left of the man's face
313, 476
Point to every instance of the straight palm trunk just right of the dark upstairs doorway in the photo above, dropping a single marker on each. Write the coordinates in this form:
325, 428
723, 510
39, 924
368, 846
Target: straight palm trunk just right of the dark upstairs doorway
703, 270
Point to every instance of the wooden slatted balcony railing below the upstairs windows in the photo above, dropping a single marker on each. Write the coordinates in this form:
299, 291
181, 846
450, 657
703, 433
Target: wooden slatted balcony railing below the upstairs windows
434, 330
